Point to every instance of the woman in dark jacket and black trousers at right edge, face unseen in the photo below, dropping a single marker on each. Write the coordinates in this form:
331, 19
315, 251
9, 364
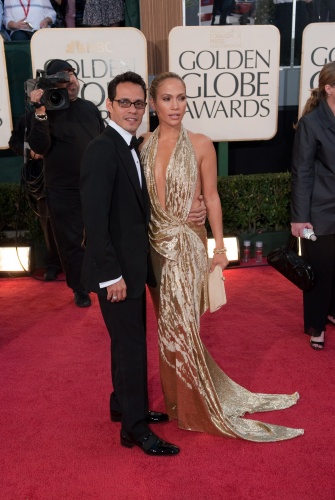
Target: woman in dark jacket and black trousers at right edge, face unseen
313, 201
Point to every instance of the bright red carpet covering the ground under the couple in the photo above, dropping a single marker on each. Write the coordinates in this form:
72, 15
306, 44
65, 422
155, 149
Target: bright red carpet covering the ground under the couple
56, 438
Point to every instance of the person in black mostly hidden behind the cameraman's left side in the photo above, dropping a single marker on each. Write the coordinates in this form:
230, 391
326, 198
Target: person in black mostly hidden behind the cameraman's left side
33, 178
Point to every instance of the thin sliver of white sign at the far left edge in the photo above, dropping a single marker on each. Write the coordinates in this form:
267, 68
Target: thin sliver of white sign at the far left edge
5, 110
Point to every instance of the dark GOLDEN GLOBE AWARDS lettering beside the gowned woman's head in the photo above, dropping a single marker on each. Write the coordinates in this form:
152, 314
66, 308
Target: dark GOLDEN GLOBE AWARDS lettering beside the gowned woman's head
231, 92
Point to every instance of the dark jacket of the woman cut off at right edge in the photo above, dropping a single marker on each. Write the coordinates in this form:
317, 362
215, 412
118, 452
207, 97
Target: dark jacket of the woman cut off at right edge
313, 170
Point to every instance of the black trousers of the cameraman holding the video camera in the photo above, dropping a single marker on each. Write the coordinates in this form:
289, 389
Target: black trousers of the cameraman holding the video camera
67, 224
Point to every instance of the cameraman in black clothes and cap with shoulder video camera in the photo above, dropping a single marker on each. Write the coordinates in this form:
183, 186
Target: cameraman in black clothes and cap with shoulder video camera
61, 136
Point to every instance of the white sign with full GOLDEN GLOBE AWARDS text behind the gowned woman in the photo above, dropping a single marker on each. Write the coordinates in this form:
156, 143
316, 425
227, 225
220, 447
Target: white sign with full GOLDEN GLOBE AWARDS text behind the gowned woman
232, 78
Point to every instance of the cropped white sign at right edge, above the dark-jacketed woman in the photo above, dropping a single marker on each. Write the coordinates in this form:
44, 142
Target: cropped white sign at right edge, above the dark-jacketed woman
318, 49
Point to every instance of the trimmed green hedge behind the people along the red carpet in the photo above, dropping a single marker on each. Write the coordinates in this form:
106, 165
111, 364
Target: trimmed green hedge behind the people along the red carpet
250, 204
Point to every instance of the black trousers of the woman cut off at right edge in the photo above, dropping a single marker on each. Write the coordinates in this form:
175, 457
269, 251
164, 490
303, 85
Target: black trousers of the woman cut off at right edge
320, 301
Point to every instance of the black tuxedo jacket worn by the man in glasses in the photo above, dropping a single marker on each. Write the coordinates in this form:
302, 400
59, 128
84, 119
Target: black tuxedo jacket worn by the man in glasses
116, 216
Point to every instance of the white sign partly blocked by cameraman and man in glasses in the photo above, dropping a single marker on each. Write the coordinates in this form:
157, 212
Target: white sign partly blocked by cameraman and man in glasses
97, 54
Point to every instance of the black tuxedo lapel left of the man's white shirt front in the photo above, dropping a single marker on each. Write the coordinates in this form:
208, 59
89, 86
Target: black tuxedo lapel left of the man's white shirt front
128, 163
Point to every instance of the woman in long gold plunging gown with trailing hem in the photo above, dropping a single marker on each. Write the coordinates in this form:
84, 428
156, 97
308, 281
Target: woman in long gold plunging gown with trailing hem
179, 166
